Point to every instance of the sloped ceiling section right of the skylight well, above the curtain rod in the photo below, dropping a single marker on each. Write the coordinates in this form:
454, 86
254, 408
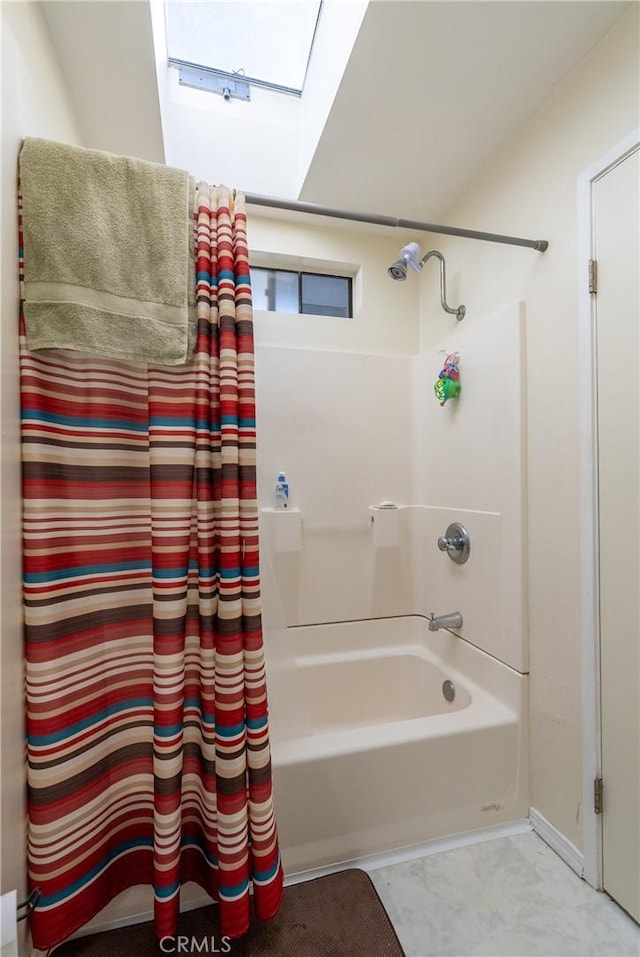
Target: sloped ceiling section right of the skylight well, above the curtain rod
432, 89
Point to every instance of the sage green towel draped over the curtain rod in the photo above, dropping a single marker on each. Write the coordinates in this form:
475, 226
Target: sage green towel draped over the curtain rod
108, 251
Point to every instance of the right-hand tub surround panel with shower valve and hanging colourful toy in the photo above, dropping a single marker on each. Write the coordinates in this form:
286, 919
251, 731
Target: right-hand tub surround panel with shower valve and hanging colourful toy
471, 466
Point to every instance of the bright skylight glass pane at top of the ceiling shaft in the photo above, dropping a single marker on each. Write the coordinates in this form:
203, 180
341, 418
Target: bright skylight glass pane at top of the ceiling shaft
255, 40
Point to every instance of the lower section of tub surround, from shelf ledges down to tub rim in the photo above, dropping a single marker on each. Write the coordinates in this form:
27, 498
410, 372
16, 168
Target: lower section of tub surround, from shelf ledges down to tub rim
412, 576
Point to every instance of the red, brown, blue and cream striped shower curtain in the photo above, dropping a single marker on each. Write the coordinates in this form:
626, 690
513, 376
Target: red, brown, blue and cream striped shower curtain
147, 730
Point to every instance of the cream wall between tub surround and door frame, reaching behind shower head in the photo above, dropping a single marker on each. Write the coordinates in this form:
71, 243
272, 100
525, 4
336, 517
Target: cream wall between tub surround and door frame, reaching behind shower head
529, 189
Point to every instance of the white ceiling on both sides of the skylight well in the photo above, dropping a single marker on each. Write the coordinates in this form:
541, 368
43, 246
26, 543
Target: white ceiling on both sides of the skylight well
431, 90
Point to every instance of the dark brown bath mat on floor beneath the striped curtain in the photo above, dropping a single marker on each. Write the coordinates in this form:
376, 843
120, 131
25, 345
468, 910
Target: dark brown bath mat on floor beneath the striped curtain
336, 916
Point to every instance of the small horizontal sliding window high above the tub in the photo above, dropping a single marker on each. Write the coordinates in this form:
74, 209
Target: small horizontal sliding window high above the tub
307, 293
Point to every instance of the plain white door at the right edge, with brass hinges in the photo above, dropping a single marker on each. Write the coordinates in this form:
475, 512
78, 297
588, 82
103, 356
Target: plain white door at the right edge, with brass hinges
616, 231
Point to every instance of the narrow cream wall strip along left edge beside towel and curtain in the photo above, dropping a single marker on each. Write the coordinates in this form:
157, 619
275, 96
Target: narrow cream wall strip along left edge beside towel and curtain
34, 103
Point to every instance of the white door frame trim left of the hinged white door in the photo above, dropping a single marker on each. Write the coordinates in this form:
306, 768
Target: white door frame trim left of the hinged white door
589, 542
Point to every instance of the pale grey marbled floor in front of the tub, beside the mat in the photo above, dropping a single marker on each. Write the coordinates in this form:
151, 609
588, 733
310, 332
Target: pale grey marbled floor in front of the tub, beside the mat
511, 896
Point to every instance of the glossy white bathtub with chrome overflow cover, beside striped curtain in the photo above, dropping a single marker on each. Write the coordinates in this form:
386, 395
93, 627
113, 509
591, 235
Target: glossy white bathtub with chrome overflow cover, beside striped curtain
369, 756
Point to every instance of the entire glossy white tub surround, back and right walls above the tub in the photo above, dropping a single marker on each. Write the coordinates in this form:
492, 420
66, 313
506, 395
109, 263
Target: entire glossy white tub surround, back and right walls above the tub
378, 433
